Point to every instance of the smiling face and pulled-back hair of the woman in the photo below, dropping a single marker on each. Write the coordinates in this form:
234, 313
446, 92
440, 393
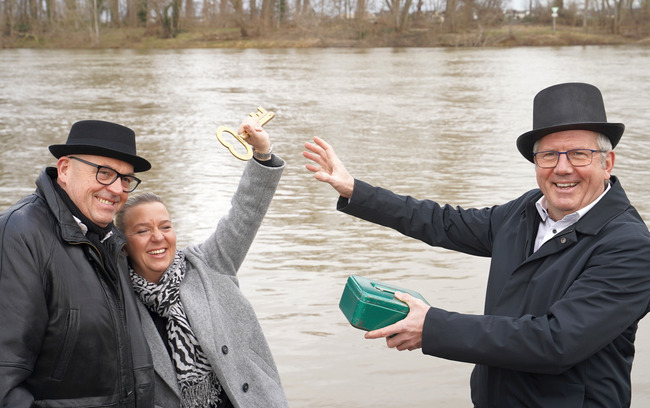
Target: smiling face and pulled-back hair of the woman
151, 240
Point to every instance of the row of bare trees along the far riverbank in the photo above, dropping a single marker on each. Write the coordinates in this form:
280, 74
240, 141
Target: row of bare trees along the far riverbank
257, 17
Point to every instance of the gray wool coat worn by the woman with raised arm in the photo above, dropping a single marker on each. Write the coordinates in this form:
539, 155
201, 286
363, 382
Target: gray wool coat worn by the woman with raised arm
222, 319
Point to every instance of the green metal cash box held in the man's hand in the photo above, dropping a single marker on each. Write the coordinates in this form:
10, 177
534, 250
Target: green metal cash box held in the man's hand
370, 305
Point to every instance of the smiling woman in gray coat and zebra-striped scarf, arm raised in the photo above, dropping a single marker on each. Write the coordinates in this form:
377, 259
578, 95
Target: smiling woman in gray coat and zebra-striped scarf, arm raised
207, 345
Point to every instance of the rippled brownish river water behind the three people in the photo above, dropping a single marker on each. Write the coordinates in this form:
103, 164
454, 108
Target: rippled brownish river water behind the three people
432, 123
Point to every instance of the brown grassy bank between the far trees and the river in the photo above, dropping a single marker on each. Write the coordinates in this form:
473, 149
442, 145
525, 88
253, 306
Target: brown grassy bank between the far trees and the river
341, 35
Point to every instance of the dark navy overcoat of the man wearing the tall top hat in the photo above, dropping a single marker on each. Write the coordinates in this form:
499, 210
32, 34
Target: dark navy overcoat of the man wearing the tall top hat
559, 324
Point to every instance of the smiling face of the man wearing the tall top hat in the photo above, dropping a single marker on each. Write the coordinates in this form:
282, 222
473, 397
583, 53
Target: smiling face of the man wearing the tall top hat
568, 188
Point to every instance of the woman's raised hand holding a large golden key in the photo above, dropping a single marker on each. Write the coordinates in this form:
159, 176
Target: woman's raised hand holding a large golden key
245, 130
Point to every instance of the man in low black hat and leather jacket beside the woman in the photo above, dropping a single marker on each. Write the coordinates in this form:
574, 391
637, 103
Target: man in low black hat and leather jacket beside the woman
69, 327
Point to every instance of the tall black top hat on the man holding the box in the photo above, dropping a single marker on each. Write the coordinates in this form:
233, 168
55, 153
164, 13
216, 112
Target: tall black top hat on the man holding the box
567, 107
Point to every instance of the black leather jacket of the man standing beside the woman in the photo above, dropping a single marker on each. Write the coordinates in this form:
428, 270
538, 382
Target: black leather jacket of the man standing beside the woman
69, 333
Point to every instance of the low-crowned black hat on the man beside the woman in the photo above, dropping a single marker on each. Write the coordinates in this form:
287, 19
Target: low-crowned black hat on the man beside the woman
100, 138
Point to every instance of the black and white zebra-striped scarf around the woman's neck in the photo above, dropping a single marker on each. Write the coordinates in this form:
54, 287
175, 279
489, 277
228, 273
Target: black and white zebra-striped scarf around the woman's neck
199, 385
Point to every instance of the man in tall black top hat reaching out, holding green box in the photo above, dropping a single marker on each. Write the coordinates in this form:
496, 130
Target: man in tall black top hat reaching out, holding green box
570, 265
